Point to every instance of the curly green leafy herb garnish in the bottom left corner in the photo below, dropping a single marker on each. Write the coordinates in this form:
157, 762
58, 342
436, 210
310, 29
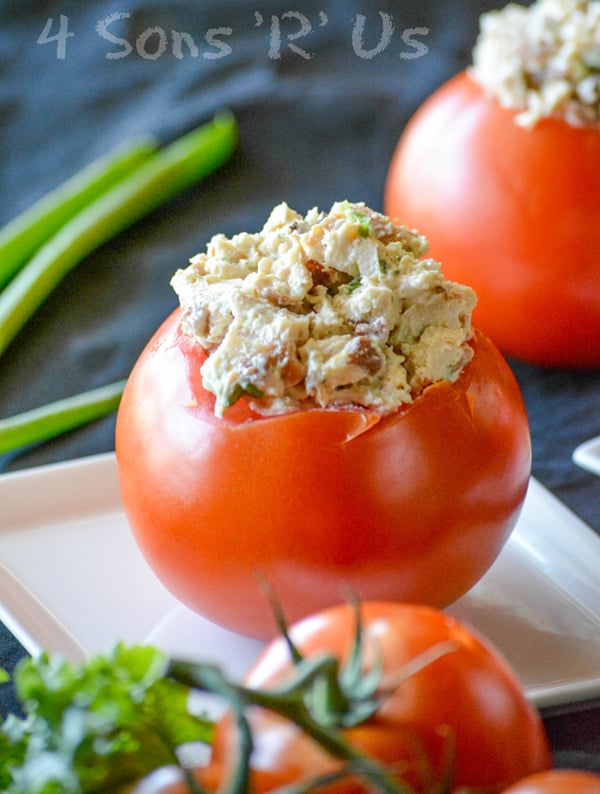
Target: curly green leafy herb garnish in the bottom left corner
95, 727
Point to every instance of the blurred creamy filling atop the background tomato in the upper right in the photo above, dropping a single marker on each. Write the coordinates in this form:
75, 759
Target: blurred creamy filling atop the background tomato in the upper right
543, 60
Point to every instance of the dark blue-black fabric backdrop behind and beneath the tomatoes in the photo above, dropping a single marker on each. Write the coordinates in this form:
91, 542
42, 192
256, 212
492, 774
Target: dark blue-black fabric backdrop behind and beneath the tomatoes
319, 114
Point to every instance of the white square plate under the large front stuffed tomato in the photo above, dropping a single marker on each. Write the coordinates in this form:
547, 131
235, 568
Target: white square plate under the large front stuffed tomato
73, 582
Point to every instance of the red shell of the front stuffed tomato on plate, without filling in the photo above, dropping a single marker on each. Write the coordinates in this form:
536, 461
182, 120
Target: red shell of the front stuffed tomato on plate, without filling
414, 506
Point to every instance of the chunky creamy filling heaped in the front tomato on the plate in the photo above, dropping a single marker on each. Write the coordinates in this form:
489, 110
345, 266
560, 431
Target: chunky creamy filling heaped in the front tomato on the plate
328, 309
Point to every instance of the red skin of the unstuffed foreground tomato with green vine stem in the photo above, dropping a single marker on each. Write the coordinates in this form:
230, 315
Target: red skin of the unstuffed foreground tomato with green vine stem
463, 718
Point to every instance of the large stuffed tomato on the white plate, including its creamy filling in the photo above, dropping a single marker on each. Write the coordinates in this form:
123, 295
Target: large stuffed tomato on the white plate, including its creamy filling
381, 445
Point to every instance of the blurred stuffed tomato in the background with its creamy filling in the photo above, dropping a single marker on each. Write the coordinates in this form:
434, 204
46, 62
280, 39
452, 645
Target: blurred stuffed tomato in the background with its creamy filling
499, 167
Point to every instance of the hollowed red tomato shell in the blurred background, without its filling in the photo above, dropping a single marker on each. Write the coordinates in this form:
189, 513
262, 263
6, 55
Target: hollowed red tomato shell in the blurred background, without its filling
510, 212
